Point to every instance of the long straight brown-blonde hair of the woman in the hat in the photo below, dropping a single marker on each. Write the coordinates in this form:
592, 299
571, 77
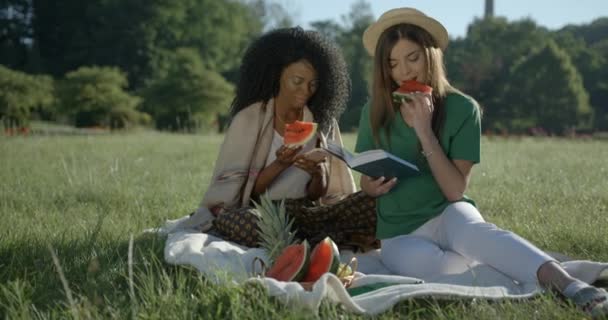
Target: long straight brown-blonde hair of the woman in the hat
382, 110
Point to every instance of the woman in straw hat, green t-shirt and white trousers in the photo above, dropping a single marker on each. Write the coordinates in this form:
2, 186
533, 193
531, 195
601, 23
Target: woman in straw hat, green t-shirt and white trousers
427, 224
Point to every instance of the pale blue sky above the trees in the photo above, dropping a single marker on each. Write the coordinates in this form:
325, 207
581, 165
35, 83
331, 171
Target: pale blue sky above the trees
455, 16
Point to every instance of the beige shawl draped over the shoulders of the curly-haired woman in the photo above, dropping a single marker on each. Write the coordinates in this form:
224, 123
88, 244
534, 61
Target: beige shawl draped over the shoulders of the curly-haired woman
243, 155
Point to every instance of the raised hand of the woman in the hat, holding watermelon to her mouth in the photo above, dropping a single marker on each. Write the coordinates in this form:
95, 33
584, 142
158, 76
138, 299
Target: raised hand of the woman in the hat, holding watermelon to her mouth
418, 112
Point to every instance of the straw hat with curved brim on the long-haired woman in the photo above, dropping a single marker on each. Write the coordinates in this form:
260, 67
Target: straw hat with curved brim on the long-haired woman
404, 15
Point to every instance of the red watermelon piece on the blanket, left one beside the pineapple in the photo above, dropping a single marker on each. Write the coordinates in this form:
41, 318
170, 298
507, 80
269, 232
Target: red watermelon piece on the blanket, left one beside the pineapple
292, 264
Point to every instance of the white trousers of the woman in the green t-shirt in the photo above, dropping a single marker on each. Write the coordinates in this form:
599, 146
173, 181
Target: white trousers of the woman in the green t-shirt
450, 242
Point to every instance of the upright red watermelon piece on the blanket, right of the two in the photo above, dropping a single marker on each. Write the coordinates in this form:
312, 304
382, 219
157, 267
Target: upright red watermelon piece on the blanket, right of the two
324, 258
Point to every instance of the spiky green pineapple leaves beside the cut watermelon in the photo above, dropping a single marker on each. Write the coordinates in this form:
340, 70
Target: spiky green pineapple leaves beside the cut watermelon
275, 227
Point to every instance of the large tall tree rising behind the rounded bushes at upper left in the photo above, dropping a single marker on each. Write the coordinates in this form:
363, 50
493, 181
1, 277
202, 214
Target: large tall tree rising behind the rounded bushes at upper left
136, 35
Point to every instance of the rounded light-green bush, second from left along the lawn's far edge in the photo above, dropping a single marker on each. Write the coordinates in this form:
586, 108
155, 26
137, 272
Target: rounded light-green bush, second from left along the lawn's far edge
96, 96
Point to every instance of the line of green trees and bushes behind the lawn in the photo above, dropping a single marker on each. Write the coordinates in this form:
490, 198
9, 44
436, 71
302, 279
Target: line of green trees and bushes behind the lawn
173, 64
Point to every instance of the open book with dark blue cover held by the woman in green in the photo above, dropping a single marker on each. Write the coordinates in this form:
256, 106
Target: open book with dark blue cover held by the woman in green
374, 163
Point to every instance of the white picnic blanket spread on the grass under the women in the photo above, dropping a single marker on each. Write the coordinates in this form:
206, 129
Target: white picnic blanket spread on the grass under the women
221, 261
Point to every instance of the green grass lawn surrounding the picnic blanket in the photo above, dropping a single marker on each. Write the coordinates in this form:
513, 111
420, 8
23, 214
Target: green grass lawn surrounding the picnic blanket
84, 196
